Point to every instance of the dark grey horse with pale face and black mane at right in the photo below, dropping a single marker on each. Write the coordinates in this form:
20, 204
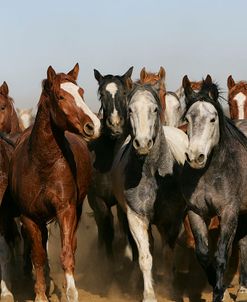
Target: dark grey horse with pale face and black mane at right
216, 146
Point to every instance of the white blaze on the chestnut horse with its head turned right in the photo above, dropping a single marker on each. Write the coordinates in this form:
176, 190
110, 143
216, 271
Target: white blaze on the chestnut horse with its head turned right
74, 91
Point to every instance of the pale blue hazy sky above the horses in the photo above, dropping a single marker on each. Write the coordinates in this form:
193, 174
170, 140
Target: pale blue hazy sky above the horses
190, 37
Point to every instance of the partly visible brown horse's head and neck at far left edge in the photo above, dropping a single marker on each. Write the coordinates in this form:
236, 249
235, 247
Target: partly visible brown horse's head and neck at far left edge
9, 122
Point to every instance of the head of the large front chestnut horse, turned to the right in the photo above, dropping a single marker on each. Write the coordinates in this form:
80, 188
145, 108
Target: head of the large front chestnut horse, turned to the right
67, 107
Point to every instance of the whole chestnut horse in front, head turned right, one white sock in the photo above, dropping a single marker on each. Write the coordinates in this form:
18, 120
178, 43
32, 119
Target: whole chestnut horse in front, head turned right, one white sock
50, 172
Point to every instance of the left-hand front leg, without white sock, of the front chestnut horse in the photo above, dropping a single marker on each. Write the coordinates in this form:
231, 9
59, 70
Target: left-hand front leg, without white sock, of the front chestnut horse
38, 254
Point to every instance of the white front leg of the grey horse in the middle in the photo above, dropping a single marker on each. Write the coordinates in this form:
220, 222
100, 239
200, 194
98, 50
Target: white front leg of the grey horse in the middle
139, 229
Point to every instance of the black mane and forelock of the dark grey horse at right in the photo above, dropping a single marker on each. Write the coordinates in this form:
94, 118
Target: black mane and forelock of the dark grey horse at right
227, 127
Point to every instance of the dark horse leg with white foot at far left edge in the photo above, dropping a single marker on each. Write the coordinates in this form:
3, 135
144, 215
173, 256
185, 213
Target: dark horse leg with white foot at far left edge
5, 256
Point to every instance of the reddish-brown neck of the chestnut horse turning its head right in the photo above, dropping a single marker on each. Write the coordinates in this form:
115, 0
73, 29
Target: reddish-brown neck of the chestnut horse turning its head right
46, 140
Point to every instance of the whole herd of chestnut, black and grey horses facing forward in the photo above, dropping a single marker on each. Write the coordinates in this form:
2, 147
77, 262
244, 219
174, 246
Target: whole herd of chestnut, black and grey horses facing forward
169, 159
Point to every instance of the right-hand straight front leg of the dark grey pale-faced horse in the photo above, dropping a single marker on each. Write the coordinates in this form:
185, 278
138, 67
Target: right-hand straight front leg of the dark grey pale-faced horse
228, 226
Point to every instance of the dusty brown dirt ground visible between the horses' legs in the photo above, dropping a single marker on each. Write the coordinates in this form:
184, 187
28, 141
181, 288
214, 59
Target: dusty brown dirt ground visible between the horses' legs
99, 280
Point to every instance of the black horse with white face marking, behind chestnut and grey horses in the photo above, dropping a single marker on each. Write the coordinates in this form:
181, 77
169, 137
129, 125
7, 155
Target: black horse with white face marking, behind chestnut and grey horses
112, 92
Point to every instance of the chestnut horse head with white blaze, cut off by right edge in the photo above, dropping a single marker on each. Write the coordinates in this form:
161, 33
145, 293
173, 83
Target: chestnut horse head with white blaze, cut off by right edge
237, 98
